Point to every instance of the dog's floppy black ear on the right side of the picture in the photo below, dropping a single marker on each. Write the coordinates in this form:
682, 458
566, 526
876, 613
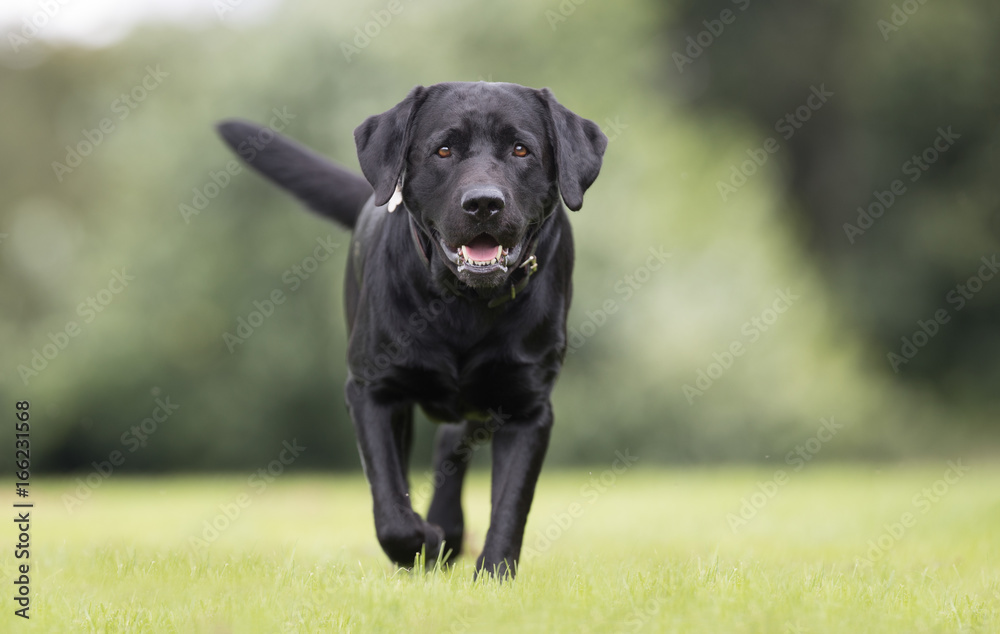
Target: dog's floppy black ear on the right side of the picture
579, 148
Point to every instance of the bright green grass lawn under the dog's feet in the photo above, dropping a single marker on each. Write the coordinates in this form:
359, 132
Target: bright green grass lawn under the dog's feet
653, 553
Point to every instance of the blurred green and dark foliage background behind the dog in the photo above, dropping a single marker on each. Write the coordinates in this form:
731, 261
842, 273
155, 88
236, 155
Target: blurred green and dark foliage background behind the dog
680, 117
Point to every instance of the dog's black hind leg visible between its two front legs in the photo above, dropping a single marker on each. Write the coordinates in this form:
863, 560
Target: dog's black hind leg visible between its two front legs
452, 453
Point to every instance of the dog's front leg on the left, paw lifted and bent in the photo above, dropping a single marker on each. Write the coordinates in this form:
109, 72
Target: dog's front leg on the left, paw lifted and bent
382, 432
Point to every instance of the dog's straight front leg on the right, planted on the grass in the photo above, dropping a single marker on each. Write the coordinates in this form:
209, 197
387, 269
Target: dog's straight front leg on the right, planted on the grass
518, 451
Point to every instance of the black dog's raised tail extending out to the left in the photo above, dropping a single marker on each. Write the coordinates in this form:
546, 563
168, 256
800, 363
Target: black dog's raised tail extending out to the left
327, 189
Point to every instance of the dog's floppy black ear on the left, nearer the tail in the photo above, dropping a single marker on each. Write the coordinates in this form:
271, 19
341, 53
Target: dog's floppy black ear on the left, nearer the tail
383, 141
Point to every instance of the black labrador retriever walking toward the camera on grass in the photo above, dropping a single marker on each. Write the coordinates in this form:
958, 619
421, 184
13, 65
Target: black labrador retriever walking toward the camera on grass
458, 285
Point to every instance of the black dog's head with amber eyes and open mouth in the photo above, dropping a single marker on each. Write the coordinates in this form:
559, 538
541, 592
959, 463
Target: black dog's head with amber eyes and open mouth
480, 166
